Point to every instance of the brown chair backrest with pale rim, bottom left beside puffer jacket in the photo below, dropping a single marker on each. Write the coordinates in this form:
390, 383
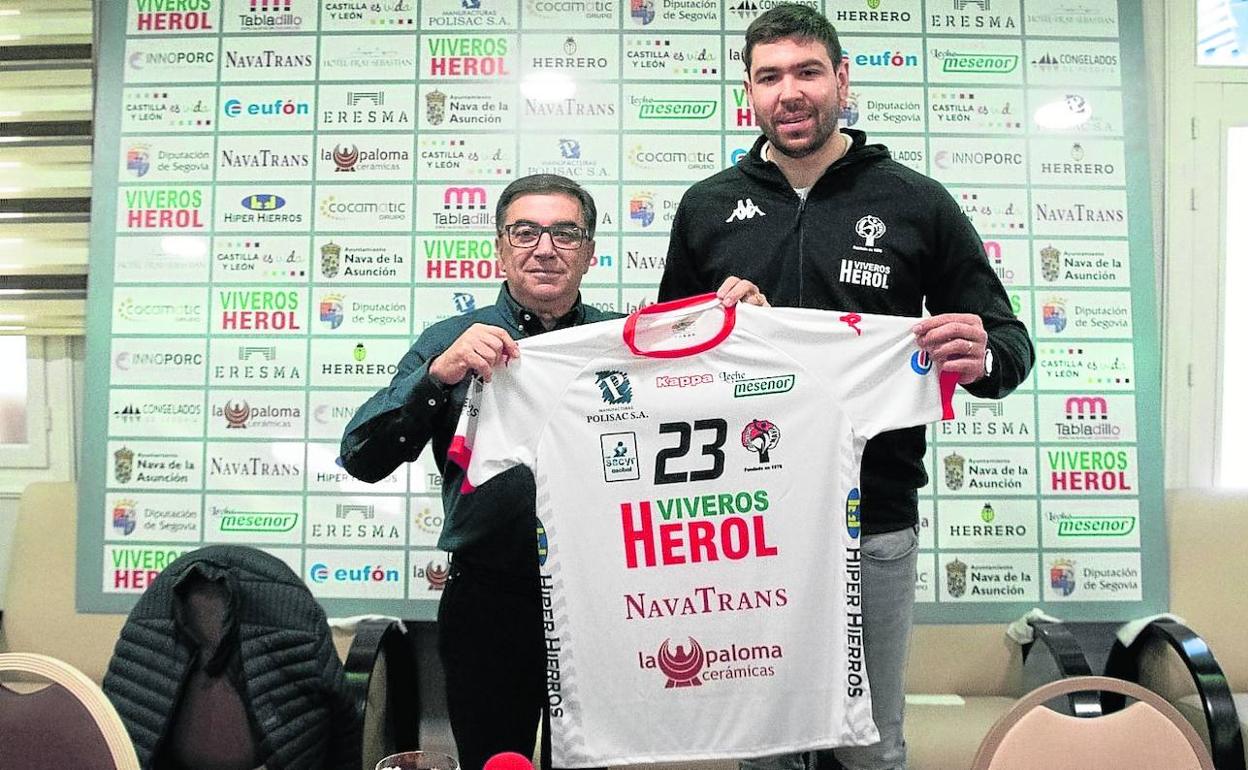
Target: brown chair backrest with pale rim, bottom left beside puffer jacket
68, 724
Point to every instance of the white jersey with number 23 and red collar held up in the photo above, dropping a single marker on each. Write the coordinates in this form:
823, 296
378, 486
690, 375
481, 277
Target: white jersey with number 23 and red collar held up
697, 492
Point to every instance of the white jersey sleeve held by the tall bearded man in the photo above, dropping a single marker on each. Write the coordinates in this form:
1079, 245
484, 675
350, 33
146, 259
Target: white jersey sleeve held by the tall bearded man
873, 366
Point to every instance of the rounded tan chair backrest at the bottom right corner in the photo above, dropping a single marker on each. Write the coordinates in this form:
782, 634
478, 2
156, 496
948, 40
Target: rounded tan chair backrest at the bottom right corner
1150, 734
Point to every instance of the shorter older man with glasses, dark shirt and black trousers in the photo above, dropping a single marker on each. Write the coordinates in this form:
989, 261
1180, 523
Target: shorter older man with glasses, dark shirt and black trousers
490, 622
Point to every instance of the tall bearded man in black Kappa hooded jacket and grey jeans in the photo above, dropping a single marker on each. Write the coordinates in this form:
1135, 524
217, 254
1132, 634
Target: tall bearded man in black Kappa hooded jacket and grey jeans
817, 218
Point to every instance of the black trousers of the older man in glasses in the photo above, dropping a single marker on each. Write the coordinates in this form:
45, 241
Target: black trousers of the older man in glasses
494, 653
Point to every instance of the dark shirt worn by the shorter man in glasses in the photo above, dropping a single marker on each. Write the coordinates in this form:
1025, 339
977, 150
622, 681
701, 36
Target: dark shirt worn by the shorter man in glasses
495, 527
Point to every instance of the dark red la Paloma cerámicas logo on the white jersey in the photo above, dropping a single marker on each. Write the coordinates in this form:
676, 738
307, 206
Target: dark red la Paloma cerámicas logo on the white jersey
691, 666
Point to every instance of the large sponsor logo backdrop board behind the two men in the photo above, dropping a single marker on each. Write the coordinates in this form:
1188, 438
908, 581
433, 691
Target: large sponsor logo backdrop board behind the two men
289, 192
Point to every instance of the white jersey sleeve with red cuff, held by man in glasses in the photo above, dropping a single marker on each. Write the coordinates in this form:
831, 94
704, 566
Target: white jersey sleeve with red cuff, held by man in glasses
501, 424
